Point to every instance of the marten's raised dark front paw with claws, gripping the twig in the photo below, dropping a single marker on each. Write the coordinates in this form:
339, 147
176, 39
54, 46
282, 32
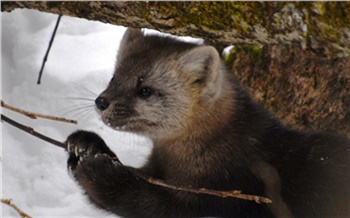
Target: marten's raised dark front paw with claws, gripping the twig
83, 144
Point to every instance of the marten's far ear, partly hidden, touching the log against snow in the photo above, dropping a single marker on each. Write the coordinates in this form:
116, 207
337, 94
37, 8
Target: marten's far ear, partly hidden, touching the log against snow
130, 39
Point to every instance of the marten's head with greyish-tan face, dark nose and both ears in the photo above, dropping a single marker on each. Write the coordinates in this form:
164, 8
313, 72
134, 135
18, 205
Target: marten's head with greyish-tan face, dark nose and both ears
160, 84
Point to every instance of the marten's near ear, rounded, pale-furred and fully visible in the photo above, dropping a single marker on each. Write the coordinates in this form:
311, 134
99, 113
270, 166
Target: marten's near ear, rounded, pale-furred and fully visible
202, 64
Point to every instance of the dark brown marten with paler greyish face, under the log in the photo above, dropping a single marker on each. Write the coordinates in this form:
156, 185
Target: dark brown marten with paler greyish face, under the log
207, 133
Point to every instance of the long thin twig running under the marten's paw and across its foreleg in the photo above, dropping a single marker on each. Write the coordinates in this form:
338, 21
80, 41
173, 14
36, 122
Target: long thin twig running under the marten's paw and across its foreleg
223, 194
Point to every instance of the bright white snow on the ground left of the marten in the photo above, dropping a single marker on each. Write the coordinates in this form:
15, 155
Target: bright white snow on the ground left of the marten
79, 66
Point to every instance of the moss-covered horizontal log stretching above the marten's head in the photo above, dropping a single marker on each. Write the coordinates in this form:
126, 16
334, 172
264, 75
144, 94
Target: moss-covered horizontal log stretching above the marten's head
310, 24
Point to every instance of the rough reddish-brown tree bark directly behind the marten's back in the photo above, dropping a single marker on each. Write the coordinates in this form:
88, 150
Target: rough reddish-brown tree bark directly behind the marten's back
301, 88
